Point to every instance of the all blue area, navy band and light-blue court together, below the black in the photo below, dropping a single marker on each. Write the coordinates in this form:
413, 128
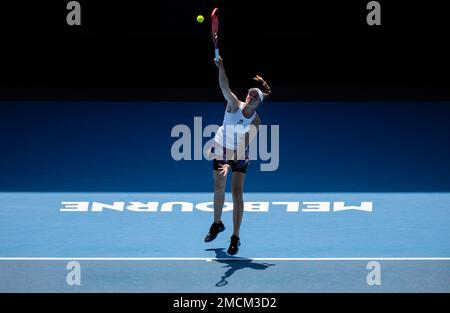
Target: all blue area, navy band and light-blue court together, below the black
360, 186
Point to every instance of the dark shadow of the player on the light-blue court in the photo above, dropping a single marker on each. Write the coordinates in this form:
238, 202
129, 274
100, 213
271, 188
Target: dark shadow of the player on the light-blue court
233, 264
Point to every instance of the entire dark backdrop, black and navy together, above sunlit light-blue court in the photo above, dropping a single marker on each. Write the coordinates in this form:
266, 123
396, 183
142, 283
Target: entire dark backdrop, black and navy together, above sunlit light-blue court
384, 125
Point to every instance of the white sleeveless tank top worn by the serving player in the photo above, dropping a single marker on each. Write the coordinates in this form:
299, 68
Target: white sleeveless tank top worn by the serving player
234, 127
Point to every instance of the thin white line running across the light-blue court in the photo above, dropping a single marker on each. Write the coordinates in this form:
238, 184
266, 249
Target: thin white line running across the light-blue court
221, 259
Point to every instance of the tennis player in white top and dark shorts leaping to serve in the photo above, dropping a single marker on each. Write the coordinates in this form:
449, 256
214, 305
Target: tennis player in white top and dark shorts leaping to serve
230, 152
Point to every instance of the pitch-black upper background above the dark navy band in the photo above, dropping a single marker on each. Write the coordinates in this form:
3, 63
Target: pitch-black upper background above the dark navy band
148, 50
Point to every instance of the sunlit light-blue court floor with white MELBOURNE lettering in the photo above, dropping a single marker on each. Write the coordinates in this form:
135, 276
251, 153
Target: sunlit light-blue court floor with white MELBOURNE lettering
310, 242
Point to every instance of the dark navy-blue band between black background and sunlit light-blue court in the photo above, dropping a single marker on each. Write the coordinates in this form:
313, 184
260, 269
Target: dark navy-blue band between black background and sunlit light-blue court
125, 146
